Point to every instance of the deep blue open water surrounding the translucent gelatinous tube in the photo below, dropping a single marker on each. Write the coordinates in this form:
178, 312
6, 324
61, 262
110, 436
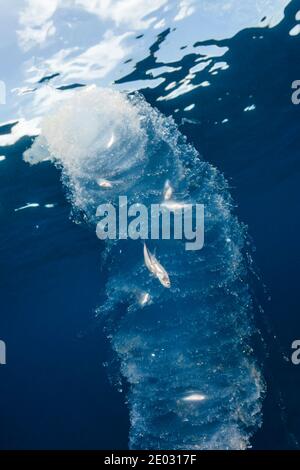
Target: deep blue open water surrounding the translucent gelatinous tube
54, 391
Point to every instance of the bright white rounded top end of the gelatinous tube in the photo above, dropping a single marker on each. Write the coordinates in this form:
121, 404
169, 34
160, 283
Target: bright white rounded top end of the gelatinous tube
86, 152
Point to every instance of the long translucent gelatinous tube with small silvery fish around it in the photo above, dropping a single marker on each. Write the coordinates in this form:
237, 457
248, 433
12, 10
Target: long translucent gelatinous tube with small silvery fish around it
145, 139
